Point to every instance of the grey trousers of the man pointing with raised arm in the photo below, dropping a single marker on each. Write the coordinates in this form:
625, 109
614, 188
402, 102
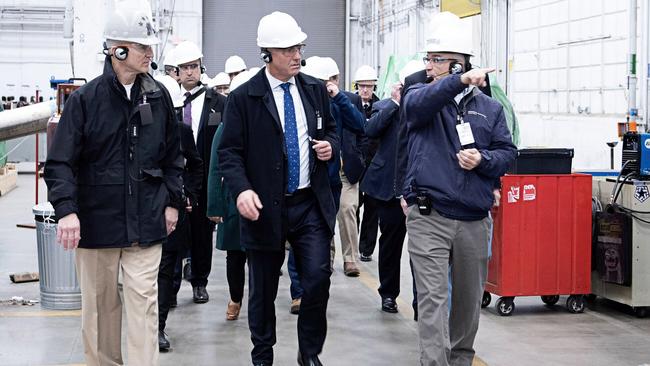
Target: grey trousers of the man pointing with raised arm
435, 242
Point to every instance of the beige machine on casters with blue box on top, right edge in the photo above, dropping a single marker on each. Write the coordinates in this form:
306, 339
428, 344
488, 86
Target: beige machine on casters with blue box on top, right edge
621, 254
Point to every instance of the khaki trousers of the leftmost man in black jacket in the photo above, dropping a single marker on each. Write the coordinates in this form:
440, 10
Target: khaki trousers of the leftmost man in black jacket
101, 306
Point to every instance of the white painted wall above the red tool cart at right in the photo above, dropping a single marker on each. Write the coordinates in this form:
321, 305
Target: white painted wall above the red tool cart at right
568, 75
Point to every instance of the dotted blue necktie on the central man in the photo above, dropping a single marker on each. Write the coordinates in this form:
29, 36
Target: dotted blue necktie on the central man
291, 140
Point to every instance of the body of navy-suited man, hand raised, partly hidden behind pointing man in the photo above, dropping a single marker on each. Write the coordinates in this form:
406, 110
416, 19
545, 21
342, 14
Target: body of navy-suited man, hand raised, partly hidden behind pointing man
379, 183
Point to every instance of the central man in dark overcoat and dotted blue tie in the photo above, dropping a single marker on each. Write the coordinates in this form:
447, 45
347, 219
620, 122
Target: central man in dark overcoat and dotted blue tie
278, 136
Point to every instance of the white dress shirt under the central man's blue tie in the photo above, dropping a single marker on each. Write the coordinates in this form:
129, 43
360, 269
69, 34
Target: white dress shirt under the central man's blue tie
301, 122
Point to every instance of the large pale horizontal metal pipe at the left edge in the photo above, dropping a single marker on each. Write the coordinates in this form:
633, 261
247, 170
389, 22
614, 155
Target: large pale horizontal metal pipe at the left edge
26, 120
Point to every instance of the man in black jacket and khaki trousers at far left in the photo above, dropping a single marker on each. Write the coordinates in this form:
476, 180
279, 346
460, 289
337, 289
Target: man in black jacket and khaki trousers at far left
114, 178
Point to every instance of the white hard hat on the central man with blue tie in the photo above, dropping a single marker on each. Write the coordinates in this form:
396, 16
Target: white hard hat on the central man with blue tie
279, 30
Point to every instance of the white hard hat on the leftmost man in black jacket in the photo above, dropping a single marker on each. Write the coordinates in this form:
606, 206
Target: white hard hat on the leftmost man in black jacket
130, 21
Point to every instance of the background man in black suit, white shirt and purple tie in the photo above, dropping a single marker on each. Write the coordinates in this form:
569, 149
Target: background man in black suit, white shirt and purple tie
202, 110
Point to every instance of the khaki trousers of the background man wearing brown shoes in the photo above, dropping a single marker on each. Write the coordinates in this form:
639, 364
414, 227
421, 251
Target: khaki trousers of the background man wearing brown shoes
347, 220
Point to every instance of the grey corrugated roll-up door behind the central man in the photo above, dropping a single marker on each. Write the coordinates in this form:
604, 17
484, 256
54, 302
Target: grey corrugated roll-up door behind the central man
230, 27
